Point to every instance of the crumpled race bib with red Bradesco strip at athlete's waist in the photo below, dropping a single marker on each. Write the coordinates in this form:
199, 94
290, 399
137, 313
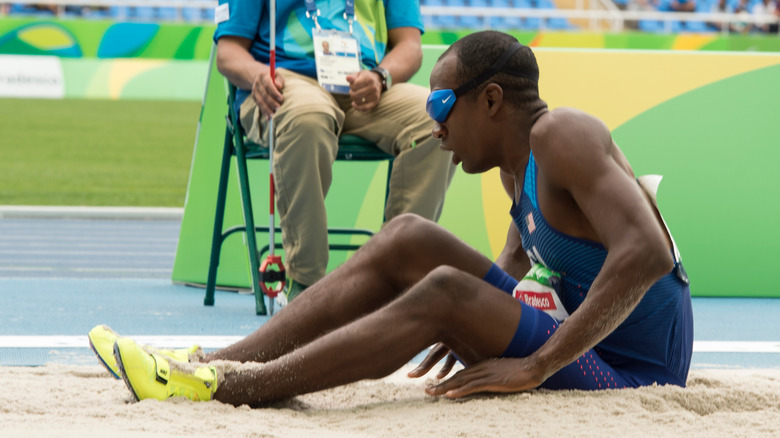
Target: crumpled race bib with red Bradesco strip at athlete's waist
539, 289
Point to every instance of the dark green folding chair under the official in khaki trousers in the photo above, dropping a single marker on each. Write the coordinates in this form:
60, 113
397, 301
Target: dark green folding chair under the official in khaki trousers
350, 148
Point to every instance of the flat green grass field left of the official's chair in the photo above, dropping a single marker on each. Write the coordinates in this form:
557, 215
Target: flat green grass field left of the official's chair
95, 152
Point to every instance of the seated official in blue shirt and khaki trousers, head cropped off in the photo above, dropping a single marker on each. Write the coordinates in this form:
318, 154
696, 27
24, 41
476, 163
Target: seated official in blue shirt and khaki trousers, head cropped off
378, 106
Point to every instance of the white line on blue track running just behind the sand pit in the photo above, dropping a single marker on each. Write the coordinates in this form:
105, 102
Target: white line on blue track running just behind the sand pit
175, 341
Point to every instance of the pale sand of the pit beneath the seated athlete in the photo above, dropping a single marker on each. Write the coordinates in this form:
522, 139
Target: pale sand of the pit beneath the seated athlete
83, 401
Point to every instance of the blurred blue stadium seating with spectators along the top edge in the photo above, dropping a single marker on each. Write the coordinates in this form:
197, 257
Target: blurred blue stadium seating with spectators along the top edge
653, 16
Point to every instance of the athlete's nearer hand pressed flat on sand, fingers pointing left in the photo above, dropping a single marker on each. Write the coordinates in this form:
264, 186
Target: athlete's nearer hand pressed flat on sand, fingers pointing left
492, 375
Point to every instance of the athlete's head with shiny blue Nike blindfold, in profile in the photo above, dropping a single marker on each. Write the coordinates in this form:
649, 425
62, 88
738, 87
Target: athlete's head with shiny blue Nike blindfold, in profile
476, 79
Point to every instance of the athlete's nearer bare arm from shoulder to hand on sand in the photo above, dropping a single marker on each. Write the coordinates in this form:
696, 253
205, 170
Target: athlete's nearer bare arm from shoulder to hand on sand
573, 152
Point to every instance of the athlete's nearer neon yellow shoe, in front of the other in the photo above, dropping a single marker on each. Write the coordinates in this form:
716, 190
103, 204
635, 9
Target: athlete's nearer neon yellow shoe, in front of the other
151, 375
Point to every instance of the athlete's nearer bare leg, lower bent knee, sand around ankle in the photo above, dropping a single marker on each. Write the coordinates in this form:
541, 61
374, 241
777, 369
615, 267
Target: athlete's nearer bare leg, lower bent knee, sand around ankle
474, 319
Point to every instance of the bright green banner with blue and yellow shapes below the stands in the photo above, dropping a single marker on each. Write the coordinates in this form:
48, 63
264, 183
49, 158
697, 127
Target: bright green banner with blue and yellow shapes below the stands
109, 39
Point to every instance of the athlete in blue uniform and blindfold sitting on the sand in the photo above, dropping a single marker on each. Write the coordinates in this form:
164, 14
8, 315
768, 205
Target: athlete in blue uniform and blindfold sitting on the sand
576, 208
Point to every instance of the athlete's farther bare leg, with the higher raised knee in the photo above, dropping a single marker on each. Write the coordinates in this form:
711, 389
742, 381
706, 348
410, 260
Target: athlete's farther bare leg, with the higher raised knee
399, 256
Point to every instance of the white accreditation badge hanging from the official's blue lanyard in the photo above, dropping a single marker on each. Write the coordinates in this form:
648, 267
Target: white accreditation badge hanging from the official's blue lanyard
336, 54
